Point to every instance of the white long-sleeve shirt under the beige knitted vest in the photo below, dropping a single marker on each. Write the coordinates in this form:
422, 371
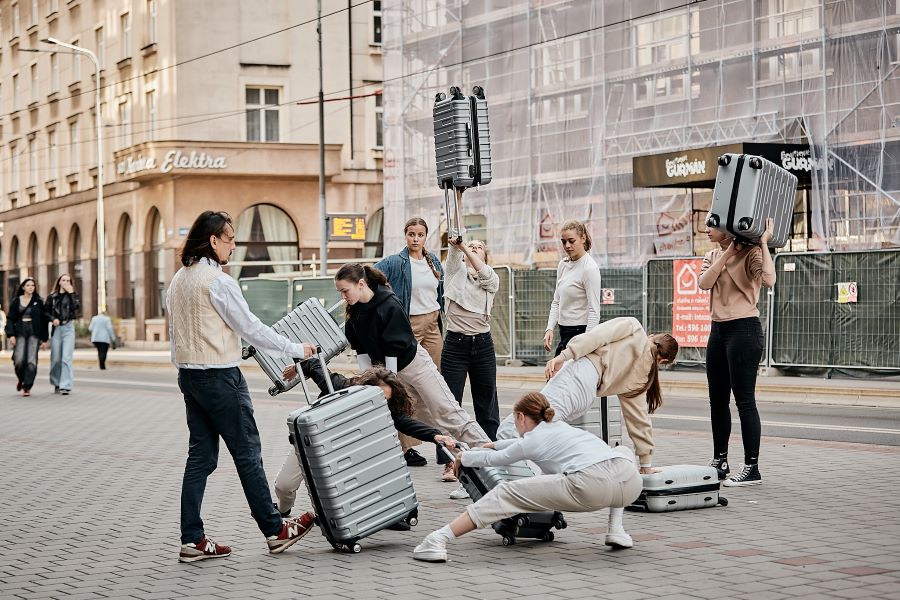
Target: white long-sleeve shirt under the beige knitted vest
228, 301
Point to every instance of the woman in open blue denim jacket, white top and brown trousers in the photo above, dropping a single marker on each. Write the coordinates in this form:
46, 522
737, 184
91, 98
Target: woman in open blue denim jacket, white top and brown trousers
416, 276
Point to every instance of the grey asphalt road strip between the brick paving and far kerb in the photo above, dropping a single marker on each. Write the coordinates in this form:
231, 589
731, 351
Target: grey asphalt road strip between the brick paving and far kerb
865, 425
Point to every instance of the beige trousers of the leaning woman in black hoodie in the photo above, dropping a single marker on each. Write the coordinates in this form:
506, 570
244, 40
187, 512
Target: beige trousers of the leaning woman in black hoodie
435, 404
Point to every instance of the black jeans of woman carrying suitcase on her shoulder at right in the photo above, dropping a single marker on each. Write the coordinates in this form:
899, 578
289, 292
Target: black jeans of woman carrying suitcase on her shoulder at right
732, 360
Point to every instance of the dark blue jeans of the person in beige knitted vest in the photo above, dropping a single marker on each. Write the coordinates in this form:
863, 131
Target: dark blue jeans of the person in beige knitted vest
218, 404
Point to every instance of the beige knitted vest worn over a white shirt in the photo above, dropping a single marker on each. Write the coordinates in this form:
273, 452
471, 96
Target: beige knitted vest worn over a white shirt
201, 336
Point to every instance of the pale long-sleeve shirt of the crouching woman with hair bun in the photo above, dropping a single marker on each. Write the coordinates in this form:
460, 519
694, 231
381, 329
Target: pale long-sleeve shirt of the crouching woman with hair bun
555, 447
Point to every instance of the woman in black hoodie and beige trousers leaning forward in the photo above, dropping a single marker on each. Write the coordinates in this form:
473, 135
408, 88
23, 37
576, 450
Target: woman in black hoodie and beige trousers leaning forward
378, 329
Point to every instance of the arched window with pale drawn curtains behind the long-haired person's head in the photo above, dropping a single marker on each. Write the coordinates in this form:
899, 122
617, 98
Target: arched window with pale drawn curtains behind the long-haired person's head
264, 233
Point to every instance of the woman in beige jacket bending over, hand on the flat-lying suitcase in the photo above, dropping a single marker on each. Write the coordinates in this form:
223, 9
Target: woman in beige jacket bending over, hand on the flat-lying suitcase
618, 358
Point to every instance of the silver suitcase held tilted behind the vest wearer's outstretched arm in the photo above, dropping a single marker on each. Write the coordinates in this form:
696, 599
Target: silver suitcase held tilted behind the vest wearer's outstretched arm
309, 323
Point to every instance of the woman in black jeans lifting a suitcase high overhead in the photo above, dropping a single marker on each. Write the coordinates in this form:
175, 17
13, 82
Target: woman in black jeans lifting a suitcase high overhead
470, 284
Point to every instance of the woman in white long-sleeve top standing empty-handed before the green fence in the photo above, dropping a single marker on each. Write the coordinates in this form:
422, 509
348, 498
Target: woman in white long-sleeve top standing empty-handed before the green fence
576, 299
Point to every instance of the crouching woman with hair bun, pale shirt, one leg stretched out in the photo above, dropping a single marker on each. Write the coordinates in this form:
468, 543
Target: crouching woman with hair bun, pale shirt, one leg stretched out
580, 474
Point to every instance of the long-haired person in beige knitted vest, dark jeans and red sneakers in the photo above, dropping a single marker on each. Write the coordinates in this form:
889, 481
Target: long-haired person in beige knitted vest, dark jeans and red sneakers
208, 318
